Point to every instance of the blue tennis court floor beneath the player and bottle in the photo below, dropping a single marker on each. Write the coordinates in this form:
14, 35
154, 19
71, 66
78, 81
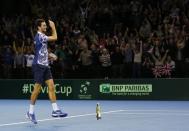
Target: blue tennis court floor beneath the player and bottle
116, 116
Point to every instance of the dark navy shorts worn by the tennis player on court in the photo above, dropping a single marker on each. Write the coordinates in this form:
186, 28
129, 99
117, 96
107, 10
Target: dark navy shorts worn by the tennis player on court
41, 73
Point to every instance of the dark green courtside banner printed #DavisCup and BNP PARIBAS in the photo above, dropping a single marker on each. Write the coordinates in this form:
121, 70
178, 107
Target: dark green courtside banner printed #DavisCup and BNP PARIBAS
87, 89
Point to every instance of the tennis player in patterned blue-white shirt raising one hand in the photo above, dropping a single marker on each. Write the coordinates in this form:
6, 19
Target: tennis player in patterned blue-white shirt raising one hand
41, 70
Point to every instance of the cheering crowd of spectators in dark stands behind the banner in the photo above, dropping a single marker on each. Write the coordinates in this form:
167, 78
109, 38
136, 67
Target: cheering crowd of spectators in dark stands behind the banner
101, 39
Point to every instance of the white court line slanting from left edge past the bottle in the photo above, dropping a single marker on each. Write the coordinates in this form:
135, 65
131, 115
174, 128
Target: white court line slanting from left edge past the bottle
52, 119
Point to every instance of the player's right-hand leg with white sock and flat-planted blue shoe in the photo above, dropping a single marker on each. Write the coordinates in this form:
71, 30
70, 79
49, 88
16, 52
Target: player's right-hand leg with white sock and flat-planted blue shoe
52, 96
